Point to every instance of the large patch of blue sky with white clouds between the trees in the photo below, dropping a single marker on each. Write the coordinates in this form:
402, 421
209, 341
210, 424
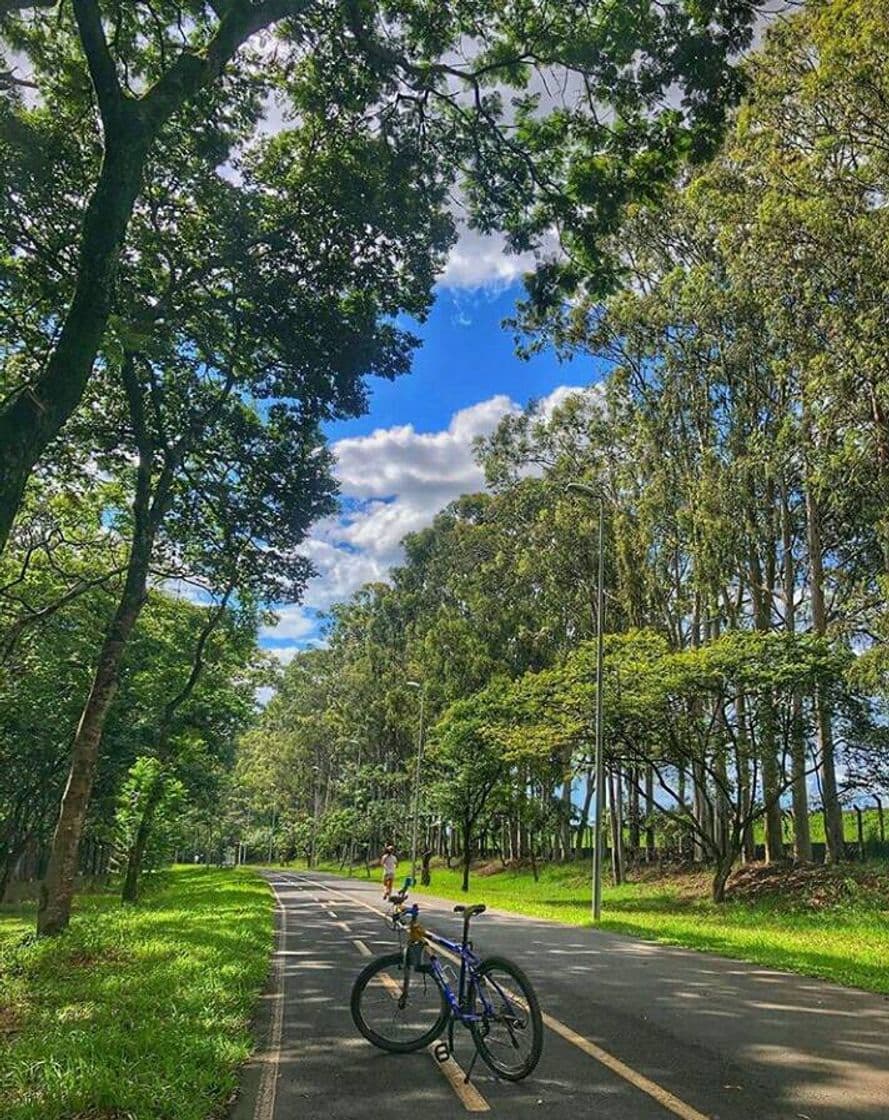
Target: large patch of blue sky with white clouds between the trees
411, 454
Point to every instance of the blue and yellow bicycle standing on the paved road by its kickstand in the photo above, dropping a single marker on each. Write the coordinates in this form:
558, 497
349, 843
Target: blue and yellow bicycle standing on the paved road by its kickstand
404, 1002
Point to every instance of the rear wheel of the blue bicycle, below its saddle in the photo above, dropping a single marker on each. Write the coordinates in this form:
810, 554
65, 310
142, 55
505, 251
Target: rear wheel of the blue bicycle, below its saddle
509, 1034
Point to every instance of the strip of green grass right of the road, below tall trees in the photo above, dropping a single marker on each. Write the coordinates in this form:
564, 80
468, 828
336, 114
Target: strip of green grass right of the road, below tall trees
825, 923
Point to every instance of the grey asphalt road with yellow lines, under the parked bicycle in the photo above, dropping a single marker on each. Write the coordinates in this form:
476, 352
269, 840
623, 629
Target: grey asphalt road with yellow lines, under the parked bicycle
635, 1031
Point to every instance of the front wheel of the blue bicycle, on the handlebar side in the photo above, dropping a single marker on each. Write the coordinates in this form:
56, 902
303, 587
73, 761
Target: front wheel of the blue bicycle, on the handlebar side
394, 1015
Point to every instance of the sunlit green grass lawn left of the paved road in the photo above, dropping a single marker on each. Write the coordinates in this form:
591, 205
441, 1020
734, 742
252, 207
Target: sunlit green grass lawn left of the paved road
137, 1012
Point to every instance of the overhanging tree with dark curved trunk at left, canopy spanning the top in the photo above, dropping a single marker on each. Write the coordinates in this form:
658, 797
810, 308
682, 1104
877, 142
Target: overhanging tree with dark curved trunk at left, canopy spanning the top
151, 69
